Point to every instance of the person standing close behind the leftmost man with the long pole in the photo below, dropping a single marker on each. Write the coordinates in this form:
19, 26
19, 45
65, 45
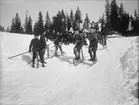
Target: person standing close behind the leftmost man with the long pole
44, 45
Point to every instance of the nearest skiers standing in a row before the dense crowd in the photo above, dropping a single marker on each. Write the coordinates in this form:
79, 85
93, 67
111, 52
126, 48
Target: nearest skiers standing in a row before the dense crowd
38, 45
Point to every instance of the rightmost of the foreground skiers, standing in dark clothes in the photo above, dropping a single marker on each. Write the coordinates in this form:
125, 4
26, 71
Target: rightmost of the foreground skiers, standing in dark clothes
93, 39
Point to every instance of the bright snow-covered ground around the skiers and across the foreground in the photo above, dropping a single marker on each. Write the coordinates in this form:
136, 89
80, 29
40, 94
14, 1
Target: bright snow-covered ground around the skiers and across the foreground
111, 81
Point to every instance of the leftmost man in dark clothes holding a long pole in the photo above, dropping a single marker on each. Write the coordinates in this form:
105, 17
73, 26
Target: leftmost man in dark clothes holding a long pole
36, 47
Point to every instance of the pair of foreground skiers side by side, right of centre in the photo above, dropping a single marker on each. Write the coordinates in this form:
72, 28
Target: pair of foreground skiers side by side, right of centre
93, 38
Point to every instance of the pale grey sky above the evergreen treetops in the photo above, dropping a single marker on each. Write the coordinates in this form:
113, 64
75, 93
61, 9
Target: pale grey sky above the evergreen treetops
94, 8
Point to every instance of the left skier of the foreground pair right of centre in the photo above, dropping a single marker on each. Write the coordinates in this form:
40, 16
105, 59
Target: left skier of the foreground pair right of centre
79, 42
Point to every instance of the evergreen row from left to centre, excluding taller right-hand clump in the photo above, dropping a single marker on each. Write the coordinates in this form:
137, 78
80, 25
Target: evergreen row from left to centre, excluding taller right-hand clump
60, 22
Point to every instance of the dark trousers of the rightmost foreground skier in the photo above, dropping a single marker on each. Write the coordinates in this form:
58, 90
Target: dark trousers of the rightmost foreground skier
93, 48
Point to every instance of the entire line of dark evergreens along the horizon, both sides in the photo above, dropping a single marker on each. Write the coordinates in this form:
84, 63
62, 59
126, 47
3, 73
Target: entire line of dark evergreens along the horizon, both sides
115, 19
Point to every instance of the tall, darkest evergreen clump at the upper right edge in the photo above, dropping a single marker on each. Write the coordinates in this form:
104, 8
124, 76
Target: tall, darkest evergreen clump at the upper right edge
119, 20
